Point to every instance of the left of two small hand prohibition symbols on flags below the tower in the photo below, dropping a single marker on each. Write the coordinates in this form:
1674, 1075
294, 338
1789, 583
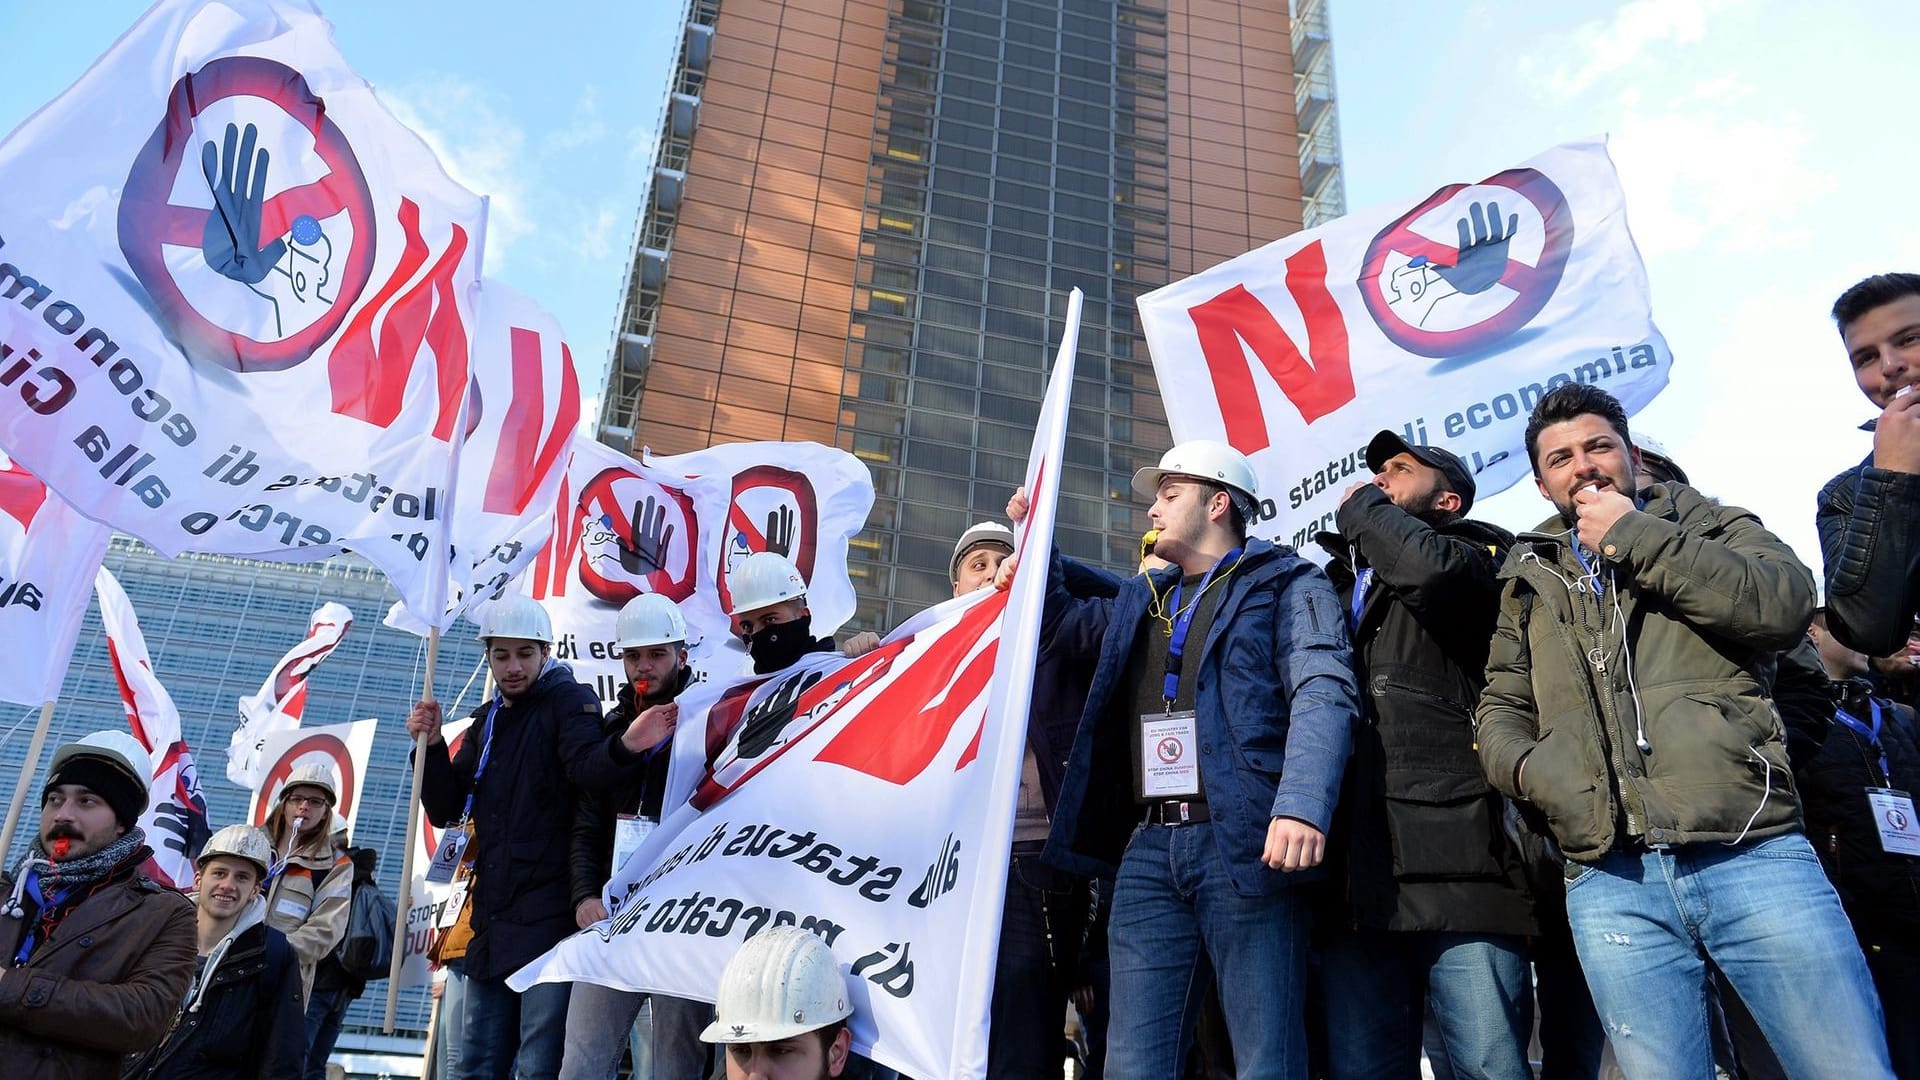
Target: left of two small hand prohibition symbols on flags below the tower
612, 497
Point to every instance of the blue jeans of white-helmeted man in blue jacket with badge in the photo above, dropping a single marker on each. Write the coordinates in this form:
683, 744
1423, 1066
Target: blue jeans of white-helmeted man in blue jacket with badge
1178, 916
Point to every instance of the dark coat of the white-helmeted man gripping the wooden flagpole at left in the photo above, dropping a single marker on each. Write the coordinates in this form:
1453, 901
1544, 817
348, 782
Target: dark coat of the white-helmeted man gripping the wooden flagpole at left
548, 745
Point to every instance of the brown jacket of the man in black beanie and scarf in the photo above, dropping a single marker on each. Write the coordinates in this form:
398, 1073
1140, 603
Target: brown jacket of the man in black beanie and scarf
107, 985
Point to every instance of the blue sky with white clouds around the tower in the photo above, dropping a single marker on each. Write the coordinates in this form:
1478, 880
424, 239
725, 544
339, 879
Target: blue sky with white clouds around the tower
1765, 151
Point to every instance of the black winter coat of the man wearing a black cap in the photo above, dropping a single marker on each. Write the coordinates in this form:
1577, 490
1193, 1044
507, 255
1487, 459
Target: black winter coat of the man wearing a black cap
1422, 835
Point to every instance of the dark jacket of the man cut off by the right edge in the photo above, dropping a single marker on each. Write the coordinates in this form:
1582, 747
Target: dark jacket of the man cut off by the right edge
1871, 545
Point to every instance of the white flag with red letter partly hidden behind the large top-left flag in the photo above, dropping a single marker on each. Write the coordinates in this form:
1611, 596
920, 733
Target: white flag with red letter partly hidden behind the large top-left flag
516, 454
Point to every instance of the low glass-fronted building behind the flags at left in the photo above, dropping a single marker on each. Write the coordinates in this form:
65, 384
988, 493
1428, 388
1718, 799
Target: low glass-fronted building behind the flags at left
214, 629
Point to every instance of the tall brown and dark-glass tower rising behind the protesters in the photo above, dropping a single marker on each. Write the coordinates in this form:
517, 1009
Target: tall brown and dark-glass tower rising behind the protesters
867, 218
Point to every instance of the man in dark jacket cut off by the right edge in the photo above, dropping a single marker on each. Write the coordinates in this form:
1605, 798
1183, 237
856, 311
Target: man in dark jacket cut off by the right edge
1871, 514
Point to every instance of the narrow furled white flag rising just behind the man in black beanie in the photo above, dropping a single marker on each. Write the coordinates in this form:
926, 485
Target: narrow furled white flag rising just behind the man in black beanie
176, 818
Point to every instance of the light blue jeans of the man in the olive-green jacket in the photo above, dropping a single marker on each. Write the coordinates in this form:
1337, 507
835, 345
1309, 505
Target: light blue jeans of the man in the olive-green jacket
1648, 921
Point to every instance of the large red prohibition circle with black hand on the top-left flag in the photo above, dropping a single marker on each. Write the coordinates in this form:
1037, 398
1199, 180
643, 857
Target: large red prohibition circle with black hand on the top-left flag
151, 222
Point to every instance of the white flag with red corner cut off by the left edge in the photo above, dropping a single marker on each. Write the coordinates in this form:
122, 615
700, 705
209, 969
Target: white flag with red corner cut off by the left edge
49, 556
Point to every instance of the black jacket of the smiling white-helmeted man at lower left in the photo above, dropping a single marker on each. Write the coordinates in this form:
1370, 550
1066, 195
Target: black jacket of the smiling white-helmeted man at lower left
251, 1019
